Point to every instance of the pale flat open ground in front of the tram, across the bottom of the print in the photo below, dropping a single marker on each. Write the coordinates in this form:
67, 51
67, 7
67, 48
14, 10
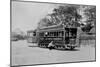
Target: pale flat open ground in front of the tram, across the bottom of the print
24, 55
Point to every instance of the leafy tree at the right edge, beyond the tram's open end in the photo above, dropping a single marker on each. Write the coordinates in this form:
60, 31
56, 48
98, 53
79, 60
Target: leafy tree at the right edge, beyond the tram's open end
90, 13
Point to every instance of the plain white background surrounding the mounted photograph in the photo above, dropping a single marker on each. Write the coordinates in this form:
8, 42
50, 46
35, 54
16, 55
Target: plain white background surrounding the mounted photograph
5, 33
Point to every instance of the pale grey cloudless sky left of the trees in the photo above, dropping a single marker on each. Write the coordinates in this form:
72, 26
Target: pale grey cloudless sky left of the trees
26, 15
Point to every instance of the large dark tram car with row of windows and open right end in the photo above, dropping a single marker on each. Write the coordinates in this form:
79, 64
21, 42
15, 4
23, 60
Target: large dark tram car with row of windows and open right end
62, 36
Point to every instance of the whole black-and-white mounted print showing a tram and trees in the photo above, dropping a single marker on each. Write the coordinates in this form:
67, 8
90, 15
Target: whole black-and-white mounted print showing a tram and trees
52, 33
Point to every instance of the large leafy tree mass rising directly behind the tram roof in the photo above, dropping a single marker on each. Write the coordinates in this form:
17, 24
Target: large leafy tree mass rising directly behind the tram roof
67, 15
